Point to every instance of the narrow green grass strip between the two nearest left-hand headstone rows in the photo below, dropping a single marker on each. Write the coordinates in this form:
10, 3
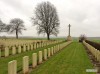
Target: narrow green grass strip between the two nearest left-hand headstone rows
18, 57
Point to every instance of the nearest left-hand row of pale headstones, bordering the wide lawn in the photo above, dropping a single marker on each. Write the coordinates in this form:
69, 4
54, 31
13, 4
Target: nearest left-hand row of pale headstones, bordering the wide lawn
37, 58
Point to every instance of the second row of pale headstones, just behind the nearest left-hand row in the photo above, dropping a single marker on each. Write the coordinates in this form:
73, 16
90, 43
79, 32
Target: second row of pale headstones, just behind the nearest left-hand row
23, 48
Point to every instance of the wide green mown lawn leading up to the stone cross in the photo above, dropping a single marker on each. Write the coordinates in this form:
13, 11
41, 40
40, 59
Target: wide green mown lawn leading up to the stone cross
71, 60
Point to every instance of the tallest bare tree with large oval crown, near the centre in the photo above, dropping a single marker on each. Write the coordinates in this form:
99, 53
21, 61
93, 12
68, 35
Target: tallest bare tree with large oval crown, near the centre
46, 19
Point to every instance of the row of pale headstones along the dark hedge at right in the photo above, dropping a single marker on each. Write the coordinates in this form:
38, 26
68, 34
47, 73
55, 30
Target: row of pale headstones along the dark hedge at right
94, 51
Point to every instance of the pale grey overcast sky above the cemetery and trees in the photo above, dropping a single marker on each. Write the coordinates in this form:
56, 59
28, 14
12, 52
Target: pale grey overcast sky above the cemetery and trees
83, 15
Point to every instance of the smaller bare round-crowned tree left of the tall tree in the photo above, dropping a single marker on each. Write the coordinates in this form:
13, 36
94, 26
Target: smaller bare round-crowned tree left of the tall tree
17, 26
